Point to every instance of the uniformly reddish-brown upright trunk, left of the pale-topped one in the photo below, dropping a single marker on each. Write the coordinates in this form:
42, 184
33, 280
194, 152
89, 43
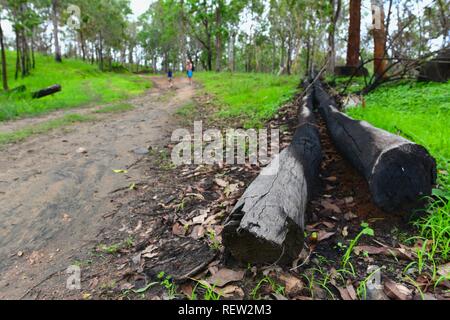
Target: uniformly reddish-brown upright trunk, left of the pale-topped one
354, 34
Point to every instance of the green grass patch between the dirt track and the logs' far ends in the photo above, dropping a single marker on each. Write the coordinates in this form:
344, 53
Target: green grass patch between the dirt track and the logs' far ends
252, 98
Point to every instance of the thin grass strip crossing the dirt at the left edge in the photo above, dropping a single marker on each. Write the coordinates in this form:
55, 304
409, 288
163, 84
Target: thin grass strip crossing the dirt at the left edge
22, 134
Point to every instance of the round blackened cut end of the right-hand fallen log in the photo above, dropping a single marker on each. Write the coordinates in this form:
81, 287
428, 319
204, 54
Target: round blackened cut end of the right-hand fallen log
402, 176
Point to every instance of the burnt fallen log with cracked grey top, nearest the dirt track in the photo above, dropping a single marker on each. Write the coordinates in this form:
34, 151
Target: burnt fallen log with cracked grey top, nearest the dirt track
267, 224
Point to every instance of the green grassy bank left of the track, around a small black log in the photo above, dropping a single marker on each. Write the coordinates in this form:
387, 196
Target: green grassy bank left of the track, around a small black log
82, 84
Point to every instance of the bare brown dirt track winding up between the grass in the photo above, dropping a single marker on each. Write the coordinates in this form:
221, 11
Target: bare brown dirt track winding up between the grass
53, 200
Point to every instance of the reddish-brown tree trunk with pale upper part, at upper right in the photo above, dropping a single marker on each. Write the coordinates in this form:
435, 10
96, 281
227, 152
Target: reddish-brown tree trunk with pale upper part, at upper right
379, 36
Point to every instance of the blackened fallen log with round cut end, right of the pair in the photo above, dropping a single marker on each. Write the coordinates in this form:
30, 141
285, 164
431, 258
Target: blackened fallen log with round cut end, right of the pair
399, 172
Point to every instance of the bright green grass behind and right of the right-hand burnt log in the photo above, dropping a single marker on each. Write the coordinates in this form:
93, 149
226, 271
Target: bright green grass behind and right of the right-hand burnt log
419, 112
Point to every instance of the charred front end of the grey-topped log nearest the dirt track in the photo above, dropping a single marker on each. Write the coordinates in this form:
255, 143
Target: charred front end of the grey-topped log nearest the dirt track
247, 246
